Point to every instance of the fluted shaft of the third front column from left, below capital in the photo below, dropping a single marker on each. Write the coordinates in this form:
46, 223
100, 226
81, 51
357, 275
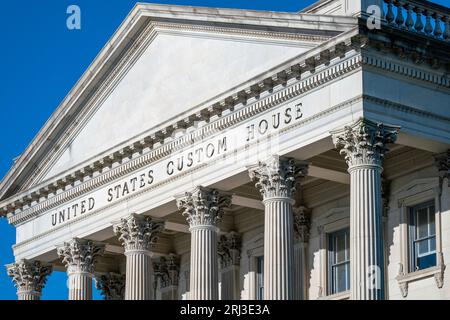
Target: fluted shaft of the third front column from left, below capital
138, 285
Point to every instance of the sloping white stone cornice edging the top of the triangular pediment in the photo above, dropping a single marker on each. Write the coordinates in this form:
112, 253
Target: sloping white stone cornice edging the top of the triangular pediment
322, 27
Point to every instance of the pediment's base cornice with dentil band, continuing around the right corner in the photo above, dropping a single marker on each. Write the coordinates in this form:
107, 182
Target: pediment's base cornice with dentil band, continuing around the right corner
326, 62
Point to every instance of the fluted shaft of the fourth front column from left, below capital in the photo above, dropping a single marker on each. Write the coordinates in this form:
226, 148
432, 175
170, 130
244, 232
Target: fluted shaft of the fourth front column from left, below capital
204, 265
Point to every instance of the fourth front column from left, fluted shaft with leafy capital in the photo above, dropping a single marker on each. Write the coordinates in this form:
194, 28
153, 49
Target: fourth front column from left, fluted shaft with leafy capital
203, 209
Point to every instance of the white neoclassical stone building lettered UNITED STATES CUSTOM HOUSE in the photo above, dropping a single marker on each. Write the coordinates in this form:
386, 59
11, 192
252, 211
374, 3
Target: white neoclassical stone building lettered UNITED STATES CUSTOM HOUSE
230, 154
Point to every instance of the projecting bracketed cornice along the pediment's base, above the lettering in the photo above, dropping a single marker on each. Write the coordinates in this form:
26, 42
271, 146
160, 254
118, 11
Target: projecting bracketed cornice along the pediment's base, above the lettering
252, 90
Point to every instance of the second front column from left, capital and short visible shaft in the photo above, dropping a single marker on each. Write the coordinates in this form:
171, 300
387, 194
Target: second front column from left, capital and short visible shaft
80, 257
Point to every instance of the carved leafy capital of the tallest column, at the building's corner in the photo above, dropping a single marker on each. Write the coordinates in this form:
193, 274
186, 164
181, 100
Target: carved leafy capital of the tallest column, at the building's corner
365, 142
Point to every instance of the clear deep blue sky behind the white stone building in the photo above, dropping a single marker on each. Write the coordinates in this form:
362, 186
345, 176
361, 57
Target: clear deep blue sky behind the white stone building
40, 62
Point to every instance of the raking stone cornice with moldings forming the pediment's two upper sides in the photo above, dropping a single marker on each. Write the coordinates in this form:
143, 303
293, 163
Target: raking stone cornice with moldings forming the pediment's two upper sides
144, 21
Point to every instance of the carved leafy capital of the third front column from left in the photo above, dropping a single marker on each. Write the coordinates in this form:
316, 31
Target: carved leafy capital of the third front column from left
138, 232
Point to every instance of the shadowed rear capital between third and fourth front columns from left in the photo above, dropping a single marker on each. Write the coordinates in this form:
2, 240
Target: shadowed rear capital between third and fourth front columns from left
167, 270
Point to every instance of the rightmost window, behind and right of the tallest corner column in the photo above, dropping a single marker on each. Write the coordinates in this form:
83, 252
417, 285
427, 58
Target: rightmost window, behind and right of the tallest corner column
422, 236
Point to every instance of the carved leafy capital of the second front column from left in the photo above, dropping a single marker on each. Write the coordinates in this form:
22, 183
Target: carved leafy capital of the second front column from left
80, 255
